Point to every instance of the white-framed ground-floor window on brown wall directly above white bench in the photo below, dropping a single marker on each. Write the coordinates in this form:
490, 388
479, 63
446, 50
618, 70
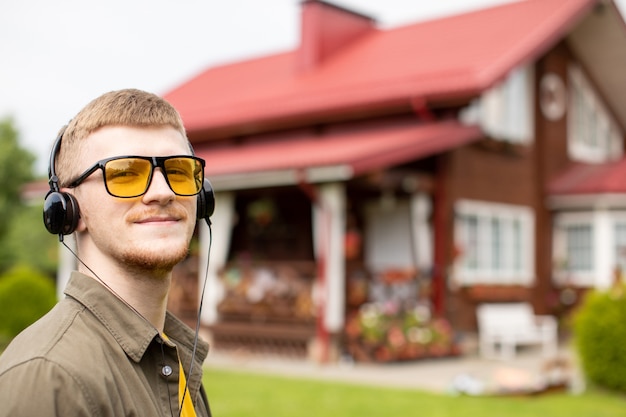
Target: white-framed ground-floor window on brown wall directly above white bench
496, 243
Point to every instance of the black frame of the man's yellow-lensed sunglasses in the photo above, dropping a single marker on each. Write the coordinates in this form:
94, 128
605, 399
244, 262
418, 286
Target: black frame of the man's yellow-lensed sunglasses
156, 162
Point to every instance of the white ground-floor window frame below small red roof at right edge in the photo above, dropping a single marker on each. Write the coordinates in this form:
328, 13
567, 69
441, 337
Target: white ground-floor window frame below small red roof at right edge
603, 259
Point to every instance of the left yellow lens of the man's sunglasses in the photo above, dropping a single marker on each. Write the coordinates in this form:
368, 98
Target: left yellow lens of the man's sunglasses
127, 177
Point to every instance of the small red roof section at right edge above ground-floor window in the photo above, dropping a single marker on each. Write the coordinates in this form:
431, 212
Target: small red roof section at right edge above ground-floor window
591, 179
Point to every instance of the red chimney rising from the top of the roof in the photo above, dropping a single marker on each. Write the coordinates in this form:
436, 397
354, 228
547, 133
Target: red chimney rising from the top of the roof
325, 29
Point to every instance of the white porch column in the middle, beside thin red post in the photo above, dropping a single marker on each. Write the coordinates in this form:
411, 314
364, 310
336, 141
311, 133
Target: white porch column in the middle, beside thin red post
330, 224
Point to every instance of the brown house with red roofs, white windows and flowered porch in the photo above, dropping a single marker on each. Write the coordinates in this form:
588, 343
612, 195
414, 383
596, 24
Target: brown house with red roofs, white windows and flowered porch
411, 172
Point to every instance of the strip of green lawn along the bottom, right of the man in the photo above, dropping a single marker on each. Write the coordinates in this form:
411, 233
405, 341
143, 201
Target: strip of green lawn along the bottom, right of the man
240, 394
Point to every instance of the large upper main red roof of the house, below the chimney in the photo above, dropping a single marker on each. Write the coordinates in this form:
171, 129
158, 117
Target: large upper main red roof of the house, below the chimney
458, 56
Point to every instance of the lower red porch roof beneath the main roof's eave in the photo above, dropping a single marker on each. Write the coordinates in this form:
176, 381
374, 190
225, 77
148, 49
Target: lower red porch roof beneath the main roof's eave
358, 150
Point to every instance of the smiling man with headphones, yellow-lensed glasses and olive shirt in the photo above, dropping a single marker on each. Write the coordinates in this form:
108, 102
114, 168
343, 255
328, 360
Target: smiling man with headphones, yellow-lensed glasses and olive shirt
125, 170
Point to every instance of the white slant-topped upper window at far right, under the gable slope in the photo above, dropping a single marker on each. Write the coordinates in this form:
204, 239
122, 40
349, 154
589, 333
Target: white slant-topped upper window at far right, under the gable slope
593, 136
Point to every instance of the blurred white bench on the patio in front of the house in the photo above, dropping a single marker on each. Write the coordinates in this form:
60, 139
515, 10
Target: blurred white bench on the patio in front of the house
511, 324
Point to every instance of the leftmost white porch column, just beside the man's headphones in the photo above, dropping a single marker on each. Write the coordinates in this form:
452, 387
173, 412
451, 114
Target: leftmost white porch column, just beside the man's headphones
221, 226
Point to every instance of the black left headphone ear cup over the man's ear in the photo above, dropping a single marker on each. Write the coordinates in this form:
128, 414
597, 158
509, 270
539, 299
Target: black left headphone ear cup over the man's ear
60, 213
